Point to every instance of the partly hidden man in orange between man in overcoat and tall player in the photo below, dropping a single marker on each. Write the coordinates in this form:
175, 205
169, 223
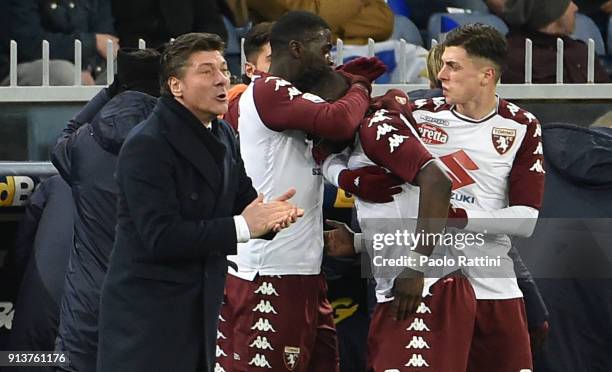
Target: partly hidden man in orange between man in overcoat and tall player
258, 58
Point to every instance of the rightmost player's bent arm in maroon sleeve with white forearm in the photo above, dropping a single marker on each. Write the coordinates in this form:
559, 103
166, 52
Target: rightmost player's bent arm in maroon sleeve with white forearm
526, 190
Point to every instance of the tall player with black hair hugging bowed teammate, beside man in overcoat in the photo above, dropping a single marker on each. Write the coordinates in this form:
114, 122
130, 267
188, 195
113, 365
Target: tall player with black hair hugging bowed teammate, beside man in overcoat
281, 279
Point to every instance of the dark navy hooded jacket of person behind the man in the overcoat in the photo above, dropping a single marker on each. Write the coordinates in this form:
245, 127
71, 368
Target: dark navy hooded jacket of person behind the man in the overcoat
86, 157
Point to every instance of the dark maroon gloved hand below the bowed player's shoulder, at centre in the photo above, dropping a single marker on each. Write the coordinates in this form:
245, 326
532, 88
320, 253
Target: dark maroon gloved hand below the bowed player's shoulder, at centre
372, 184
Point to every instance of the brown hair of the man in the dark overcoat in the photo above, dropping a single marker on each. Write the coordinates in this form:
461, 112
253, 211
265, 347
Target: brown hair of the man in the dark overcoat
177, 52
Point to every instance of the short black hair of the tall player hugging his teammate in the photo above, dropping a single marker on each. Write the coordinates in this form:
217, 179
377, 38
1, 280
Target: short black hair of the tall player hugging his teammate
295, 25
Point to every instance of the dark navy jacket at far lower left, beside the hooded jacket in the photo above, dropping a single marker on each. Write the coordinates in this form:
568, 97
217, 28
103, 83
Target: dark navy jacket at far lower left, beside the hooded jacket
38, 303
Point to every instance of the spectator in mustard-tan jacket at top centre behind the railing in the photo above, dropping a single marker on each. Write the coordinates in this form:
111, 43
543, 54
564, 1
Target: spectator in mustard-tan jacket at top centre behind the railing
354, 21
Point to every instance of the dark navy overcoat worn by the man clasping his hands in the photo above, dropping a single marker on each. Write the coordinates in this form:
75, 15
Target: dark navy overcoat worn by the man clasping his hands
179, 186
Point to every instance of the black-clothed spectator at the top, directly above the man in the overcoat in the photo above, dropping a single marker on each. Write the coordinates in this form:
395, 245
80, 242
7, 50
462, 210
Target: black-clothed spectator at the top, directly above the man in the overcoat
157, 21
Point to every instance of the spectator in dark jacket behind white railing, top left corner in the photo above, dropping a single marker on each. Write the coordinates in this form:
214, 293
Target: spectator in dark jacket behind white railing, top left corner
60, 23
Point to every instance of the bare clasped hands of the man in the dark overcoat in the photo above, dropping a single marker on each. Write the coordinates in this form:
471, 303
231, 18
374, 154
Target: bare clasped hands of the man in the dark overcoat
276, 215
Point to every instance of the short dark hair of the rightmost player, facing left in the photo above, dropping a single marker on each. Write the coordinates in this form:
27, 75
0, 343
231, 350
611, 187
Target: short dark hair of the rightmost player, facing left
480, 40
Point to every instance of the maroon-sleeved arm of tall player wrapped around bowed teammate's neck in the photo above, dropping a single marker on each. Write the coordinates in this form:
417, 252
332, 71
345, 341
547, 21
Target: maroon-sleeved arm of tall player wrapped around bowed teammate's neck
282, 106
